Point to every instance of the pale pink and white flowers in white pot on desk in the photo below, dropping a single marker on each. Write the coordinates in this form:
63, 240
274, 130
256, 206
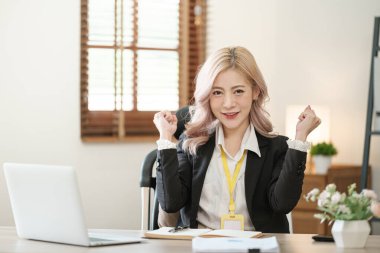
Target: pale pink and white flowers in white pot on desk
350, 213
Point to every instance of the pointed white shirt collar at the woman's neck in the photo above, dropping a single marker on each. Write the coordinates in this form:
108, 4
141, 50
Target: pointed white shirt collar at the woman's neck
249, 139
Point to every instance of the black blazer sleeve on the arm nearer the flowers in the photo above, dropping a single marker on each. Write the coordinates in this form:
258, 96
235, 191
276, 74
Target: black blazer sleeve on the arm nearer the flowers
285, 186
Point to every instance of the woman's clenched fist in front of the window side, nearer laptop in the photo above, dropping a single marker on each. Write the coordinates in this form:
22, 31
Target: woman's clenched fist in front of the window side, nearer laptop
166, 124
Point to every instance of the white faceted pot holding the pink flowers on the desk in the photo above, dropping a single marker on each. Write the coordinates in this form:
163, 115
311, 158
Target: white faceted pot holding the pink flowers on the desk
350, 234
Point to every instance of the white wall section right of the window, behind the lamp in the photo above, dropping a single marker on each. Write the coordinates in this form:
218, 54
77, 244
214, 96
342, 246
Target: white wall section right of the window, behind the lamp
310, 52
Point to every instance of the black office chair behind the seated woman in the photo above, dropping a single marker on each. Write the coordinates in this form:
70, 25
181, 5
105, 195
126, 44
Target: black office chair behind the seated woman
149, 202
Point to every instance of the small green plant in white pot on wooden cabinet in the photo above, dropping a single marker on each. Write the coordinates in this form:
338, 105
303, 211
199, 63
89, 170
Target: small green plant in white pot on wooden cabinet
322, 153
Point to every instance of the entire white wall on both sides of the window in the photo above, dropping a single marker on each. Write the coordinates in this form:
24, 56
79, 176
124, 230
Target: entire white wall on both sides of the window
310, 52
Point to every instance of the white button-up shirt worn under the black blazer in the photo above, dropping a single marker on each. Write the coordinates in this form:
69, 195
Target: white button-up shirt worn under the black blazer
215, 197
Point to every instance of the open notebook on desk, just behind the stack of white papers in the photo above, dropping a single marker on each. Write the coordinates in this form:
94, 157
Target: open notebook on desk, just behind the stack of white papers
188, 234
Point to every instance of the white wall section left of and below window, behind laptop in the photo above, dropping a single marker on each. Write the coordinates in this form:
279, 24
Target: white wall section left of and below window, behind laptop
39, 112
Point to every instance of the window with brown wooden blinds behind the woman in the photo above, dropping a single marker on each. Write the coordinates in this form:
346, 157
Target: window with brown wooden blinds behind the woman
128, 63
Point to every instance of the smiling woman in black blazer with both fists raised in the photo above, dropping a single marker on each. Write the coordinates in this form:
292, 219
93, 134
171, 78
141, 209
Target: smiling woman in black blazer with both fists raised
229, 170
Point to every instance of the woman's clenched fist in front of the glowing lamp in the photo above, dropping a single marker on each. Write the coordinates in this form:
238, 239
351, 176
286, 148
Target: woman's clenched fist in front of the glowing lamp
307, 122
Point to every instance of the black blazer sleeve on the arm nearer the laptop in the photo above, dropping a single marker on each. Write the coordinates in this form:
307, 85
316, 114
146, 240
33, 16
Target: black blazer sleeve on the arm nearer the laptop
173, 178
